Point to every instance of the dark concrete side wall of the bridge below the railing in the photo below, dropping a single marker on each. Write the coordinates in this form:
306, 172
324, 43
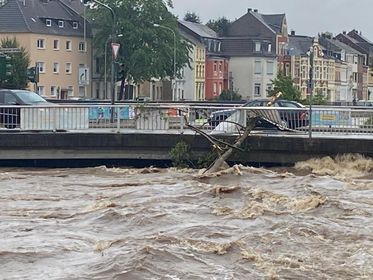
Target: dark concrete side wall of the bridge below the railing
138, 149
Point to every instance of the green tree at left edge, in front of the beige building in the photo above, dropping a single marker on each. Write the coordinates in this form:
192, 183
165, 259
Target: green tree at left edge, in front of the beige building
19, 63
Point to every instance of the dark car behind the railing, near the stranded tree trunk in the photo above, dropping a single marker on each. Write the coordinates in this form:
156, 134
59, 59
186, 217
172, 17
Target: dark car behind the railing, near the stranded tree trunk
289, 118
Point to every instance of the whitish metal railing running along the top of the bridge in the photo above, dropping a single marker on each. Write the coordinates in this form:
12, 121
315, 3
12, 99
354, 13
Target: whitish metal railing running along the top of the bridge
166, 117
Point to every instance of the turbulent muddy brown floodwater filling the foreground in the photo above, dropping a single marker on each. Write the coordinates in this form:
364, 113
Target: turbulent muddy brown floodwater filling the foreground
313, 221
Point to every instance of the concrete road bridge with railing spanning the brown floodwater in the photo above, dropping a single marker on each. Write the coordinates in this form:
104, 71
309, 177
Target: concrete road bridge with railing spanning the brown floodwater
148, 139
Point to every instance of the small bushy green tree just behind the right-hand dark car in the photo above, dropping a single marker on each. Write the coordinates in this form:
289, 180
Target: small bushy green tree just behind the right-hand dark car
283, 83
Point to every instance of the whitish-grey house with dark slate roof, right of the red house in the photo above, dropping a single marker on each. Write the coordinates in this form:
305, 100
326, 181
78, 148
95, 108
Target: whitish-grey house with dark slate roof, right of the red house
253, 44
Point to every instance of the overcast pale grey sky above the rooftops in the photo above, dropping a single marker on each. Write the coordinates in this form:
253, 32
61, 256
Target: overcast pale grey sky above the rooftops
306, 17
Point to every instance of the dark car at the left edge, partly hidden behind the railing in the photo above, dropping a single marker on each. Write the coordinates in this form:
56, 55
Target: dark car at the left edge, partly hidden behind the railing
10, 116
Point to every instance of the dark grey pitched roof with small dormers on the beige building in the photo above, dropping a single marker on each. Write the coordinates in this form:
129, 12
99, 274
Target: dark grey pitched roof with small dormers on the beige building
30, 16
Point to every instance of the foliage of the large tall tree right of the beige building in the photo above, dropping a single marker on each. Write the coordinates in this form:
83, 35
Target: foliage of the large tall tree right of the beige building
146, 51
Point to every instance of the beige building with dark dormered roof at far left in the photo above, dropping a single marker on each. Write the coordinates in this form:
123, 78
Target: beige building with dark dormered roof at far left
58, 41
